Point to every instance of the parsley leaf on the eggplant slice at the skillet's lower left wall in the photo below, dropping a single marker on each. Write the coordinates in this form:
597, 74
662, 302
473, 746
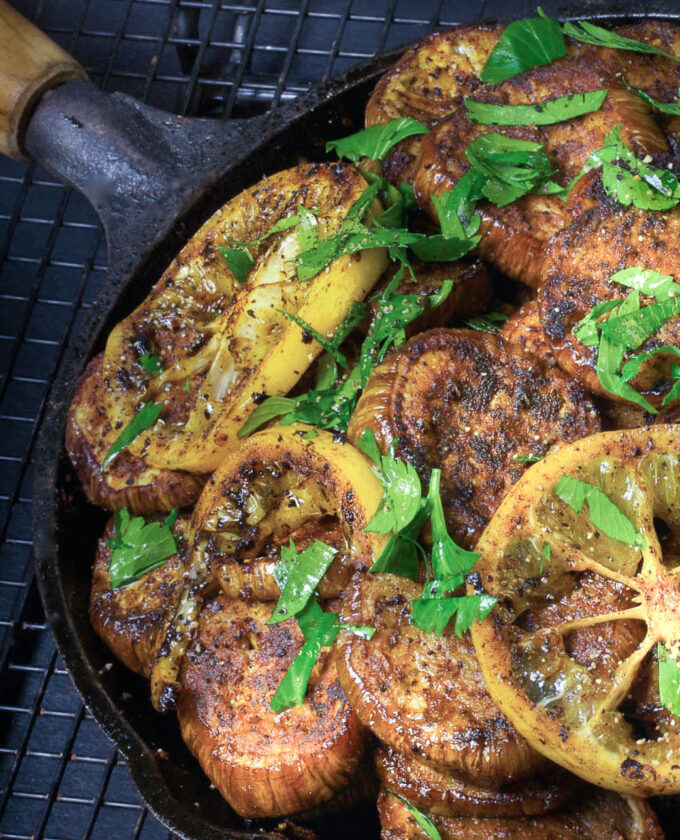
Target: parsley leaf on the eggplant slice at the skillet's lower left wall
137, 547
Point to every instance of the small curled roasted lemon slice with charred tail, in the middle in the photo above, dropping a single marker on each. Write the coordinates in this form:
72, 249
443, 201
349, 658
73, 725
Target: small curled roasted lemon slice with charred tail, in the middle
276, 486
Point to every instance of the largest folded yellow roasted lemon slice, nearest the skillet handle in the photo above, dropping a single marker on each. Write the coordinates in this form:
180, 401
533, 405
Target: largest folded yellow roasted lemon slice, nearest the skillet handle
218, 344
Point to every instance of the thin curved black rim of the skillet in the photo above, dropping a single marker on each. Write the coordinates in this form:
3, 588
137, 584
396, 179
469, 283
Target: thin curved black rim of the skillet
47, 496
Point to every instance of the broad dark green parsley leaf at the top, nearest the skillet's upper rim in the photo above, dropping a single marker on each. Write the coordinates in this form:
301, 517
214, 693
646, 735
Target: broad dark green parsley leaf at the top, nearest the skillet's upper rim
524, 44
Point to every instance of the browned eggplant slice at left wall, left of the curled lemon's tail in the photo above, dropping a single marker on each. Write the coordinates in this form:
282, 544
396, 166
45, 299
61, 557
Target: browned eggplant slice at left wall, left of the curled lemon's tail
130, 619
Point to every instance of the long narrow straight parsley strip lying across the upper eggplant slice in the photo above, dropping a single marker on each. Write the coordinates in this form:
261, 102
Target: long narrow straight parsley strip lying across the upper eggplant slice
548, 112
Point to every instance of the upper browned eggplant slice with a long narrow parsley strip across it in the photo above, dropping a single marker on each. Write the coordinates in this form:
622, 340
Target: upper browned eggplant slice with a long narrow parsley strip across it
514, 237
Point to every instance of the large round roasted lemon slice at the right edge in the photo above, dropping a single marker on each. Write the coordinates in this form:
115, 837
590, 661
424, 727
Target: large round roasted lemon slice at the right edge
583, 557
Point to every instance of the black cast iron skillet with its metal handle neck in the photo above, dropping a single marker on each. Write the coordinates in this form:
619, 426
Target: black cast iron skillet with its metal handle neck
154, 178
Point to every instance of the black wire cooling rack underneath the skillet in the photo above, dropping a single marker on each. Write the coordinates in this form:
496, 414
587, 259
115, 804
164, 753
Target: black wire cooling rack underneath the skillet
59, 776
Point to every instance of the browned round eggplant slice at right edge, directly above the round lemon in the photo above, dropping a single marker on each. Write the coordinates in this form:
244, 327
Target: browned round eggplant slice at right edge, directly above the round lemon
579, 263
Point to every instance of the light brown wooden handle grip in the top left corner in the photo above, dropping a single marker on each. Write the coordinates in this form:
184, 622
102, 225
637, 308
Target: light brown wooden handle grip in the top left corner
30, 64
